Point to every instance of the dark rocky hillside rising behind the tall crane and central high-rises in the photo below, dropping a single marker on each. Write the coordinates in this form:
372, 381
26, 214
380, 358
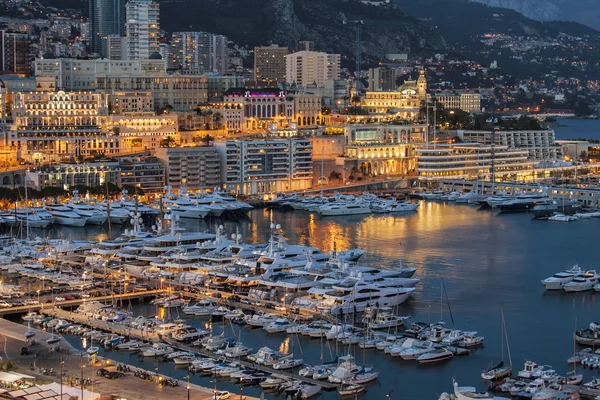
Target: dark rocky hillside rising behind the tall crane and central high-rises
255, 22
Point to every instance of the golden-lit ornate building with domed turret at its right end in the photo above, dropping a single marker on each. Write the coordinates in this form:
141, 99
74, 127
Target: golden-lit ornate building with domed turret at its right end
404, 102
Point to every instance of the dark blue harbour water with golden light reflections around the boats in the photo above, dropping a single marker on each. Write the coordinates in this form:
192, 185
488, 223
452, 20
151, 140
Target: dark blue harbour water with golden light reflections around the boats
489, 262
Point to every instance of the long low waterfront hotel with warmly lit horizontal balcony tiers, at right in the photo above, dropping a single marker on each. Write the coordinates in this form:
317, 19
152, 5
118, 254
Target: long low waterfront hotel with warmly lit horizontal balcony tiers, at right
470, 161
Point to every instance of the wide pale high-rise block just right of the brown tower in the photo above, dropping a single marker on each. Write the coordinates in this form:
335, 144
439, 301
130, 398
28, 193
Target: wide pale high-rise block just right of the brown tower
311, 67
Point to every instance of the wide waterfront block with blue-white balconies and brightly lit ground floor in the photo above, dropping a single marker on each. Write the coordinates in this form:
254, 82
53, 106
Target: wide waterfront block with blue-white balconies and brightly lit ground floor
263, 166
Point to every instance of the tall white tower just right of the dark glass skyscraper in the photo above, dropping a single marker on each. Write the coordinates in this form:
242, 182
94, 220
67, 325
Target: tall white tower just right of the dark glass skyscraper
142, 26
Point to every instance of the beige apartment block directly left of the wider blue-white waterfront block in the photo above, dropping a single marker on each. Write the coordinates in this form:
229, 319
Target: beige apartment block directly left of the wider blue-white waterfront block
194, 167
